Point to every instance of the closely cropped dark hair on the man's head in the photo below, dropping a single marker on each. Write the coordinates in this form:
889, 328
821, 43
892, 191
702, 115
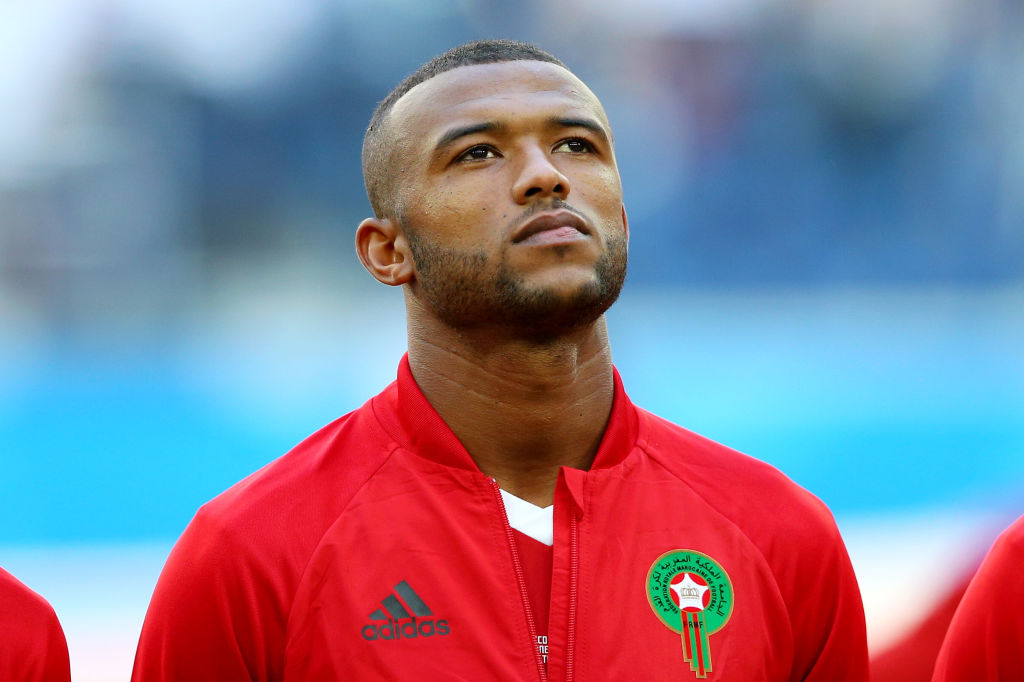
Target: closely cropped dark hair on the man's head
377, 172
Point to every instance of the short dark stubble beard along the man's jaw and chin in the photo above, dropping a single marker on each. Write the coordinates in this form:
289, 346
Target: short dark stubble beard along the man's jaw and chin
462, 292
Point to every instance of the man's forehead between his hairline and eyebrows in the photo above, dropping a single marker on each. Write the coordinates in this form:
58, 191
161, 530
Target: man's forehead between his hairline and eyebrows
492, 87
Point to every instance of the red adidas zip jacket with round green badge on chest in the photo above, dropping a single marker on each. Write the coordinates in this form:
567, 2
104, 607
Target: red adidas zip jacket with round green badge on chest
377, 550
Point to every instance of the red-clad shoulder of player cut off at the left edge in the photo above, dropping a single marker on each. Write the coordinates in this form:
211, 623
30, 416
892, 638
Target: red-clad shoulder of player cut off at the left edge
32, 644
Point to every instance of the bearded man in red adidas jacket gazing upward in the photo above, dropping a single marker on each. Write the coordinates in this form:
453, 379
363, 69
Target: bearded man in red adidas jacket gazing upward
503, 511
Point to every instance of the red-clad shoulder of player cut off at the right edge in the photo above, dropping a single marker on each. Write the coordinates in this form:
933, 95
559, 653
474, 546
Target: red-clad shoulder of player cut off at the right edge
986, 641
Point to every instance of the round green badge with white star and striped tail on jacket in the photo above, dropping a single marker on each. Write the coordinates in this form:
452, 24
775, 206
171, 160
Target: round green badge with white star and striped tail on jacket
692, 594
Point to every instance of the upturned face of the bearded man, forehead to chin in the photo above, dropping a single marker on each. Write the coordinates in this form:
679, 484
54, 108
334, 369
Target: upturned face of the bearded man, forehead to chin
510, 197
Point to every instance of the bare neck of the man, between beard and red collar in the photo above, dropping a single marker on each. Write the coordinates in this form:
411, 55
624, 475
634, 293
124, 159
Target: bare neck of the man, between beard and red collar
522, 409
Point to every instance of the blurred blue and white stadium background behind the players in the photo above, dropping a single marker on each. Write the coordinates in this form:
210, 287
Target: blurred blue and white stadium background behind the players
827, 204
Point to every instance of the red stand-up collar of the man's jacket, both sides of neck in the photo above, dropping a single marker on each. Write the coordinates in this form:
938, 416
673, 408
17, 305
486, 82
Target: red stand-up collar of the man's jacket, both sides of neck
411, 419
